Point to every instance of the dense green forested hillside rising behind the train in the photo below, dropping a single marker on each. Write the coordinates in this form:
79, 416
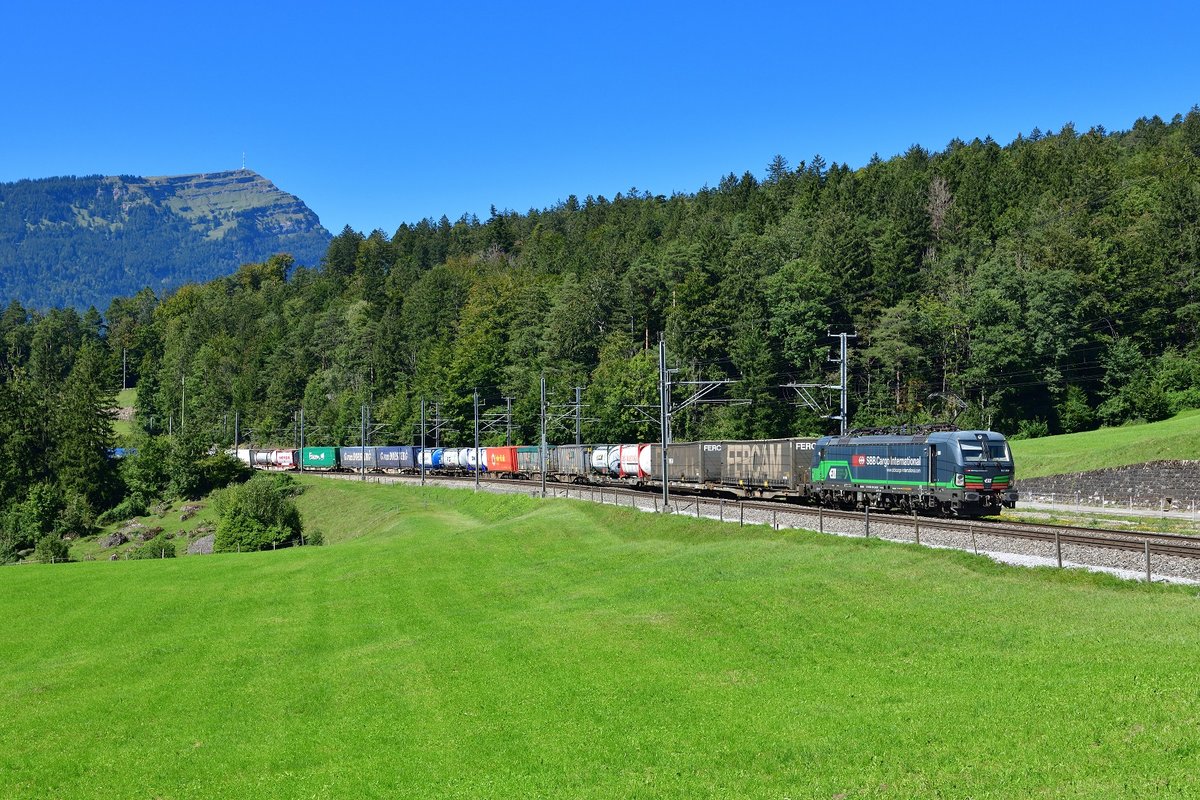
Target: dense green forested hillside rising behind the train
1052, 284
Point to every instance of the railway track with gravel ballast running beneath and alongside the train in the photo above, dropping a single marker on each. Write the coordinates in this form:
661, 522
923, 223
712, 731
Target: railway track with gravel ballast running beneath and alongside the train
1167, 549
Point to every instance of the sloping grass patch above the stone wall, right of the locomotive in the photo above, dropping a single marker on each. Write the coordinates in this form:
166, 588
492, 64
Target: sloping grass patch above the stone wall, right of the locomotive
1136, 444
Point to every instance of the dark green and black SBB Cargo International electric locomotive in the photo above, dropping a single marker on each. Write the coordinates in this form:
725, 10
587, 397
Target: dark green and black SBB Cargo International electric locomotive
957, 473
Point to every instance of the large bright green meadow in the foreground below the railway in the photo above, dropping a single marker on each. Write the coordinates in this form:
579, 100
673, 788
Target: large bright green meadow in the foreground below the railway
458, 646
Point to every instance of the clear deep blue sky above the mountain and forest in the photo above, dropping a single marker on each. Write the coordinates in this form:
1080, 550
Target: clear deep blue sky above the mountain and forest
377, 115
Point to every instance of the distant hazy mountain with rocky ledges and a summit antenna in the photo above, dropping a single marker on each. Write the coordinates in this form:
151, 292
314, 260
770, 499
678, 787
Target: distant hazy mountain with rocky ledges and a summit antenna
80, 242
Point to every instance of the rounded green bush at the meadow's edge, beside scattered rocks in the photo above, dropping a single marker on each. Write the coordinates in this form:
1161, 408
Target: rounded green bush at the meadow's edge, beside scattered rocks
259, 515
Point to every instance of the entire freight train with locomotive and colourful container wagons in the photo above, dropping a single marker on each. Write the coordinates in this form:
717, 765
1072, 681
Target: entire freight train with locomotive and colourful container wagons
937, 472
